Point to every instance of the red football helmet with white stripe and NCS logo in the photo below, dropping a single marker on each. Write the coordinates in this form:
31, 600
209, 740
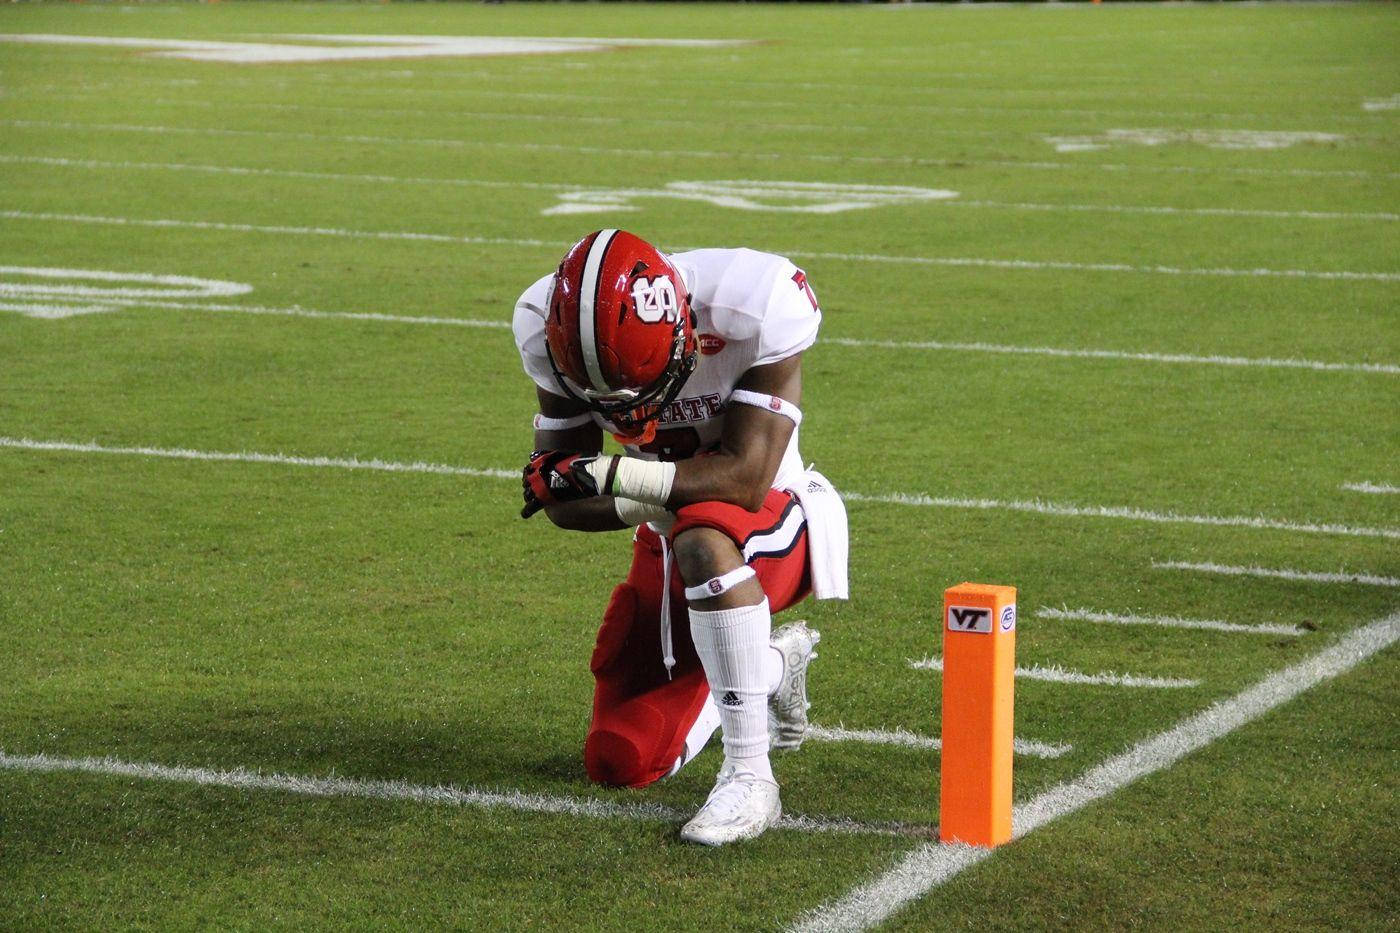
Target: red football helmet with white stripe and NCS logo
621, 334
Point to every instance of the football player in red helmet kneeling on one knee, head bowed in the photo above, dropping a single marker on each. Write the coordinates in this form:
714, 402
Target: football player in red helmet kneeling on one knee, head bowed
694, 364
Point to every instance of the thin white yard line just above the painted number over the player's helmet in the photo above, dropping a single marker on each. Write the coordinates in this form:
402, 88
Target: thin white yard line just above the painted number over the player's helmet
692, 153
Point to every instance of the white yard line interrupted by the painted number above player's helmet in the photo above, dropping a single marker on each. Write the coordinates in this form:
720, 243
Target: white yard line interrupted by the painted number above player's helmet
558, 187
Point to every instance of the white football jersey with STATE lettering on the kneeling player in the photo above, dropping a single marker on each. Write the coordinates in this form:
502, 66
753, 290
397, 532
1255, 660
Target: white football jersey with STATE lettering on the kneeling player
751, 309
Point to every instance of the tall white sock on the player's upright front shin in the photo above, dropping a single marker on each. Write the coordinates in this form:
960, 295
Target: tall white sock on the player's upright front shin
734, 649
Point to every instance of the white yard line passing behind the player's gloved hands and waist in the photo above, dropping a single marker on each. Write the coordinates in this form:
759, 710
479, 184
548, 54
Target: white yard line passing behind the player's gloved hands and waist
899, 499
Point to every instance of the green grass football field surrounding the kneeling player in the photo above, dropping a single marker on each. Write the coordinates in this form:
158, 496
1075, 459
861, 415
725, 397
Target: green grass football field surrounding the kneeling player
1153, 338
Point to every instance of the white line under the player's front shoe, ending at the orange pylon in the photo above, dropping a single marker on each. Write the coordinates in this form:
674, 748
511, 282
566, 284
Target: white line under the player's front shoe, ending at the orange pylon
444, 795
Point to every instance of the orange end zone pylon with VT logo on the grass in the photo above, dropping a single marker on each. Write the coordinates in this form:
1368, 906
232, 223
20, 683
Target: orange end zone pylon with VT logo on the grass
979, 682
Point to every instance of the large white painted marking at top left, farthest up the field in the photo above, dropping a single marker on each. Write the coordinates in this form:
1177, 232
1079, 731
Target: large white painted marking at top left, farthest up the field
358, 47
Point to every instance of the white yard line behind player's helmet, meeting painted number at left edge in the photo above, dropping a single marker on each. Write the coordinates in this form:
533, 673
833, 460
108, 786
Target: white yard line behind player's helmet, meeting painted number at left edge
1385, 369
